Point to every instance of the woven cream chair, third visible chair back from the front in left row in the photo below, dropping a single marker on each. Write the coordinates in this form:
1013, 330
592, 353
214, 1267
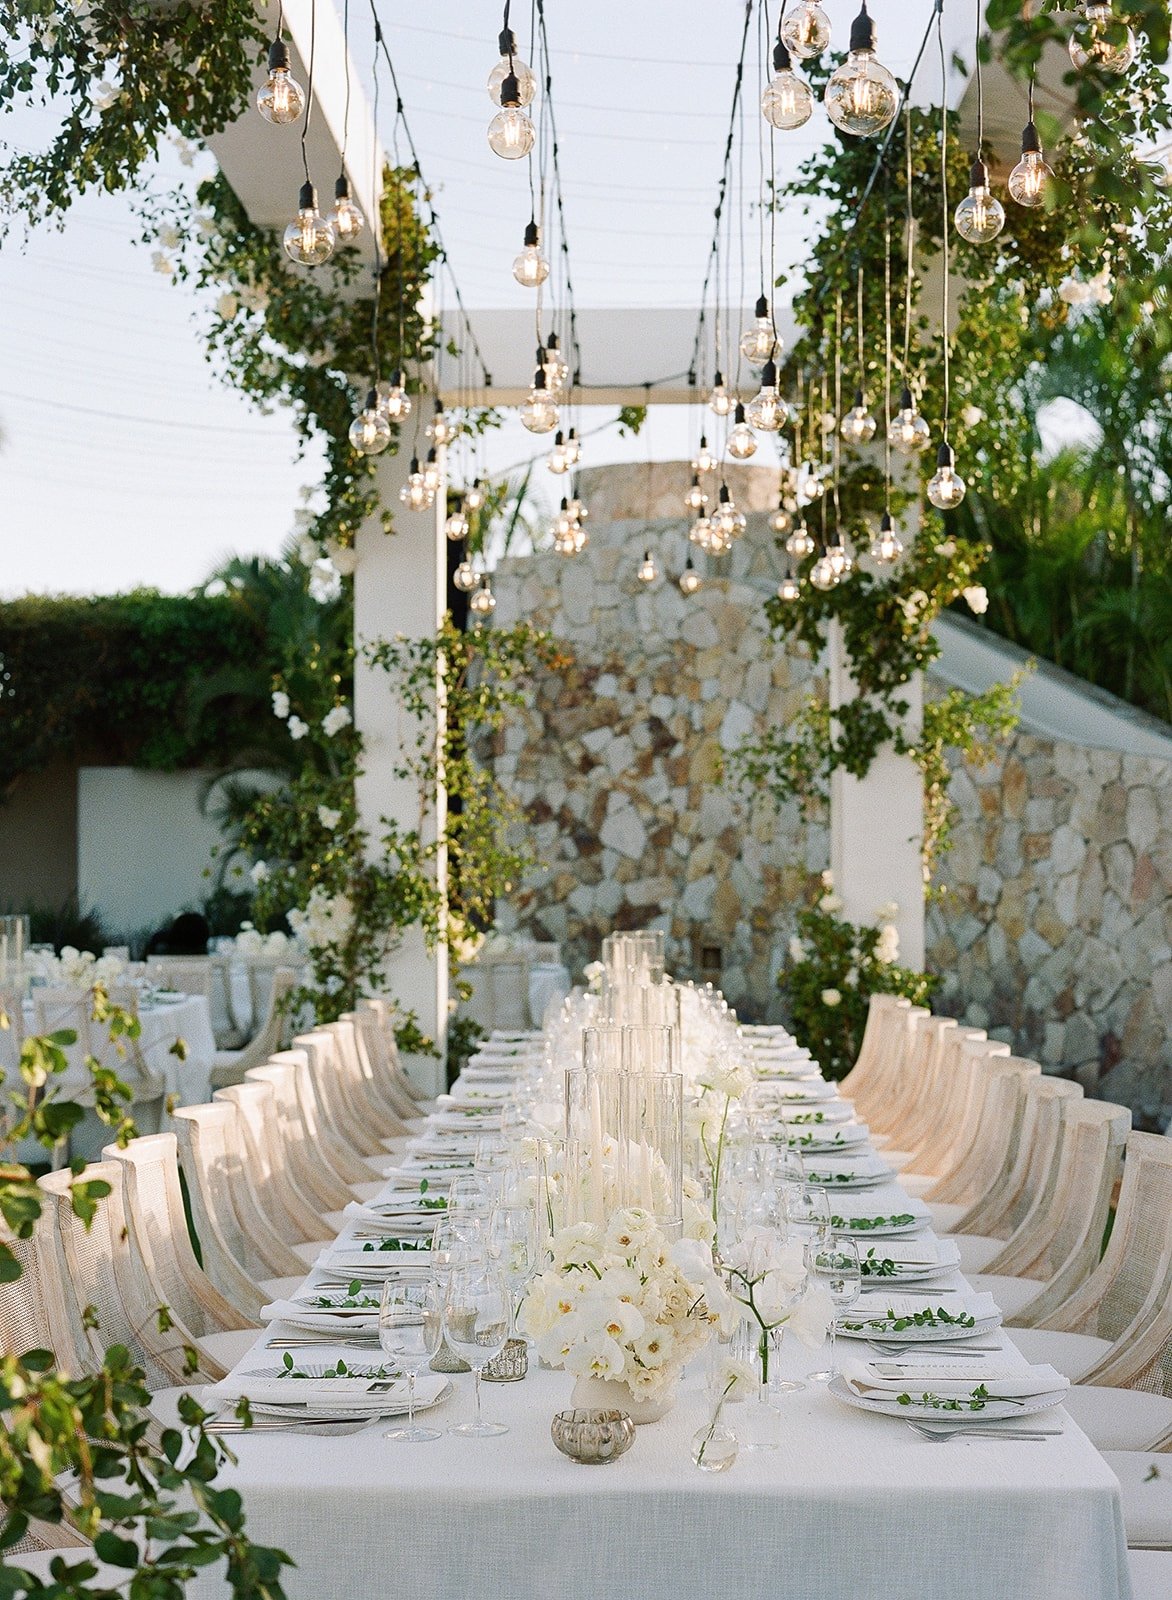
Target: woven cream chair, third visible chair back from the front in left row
155, 1206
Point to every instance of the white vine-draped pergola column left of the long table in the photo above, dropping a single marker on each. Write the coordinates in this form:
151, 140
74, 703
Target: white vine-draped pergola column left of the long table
401, 590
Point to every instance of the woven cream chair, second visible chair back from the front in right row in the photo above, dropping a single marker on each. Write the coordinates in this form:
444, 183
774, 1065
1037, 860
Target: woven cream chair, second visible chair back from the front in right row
1066, 1247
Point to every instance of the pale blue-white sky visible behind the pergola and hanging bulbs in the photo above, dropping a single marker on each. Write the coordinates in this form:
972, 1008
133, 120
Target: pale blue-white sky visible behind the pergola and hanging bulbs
126, 462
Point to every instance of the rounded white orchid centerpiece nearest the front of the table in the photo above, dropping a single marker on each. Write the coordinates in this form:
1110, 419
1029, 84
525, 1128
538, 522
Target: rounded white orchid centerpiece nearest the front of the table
624, 1311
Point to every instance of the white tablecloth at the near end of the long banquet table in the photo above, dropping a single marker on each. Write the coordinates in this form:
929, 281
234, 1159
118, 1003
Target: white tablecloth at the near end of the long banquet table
854, 1506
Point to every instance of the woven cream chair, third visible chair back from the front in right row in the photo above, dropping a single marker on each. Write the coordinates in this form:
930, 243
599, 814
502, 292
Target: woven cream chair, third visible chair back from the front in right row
985, 1230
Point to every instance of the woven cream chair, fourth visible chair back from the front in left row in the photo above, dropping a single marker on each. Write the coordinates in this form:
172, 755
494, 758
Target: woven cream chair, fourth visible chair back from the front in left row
209, 1161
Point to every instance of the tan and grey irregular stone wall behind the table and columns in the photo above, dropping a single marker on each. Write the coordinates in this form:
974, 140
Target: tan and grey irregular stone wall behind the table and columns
1056, 924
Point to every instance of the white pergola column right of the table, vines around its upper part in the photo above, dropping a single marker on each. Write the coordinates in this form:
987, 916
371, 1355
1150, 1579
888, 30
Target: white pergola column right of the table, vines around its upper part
878, 822
